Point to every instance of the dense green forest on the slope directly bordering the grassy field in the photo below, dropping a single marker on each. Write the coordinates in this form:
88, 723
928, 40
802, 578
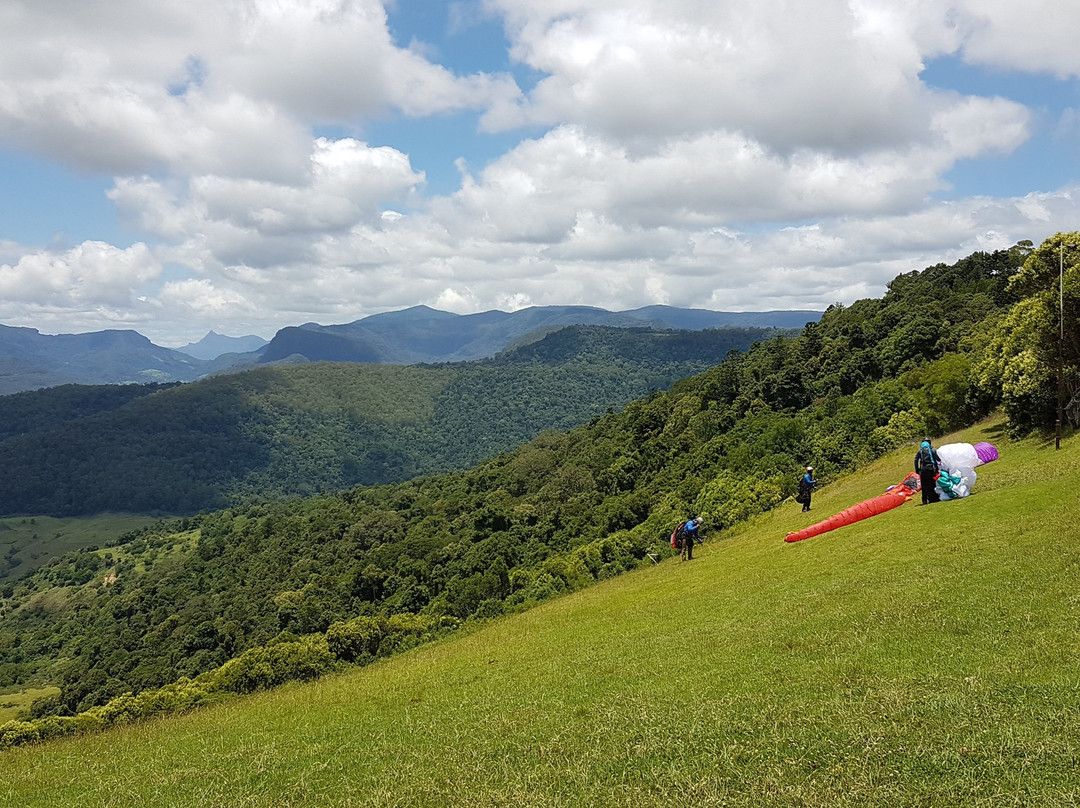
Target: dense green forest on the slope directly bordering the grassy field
560, 513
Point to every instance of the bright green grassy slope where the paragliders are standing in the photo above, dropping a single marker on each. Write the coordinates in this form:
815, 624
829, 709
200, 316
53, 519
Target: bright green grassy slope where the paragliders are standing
927, 657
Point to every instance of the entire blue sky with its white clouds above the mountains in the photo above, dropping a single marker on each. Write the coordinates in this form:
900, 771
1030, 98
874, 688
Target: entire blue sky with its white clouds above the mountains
241, 167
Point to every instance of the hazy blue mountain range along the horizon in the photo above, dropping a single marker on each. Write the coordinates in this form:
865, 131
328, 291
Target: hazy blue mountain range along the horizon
31, 360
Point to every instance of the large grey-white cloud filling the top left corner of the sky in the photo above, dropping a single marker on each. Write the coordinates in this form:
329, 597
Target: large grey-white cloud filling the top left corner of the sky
221, 87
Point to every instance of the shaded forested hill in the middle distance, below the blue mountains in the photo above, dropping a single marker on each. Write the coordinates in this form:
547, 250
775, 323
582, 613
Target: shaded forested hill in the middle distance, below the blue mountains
298, 430
